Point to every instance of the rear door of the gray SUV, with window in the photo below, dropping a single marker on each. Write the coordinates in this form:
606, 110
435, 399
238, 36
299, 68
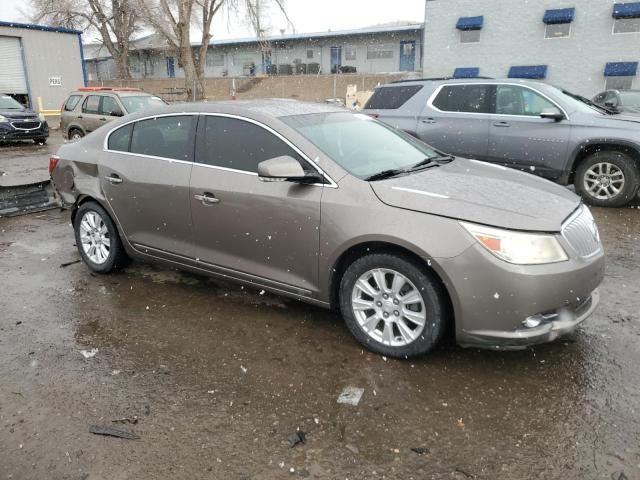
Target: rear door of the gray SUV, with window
456, 119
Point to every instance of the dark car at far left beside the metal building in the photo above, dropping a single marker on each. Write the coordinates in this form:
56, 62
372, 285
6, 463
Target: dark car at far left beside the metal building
20, 123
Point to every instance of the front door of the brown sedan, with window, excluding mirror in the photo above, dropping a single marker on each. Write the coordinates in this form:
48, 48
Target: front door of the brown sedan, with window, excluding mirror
267, 232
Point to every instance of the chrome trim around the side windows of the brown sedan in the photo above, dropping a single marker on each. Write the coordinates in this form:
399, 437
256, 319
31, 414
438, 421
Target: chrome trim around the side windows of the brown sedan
105, 145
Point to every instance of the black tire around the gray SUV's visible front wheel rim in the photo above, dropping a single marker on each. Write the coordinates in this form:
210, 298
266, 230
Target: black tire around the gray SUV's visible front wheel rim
624, 163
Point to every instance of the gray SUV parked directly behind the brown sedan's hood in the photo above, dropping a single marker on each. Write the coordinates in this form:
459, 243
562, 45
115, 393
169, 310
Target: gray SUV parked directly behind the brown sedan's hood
527, 125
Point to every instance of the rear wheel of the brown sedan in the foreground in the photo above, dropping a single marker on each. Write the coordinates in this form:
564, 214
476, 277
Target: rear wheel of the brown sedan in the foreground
97, 239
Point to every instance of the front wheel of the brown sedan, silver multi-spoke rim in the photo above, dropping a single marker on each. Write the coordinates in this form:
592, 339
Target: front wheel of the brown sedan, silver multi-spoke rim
393, 306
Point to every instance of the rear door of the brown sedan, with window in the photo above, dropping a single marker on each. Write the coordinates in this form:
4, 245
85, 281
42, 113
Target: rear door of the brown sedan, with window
145, 175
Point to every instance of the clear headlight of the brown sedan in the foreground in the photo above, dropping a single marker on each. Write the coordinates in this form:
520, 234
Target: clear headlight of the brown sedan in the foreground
518, 247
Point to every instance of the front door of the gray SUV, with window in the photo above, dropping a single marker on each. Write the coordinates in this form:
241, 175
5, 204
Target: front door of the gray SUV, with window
520, 138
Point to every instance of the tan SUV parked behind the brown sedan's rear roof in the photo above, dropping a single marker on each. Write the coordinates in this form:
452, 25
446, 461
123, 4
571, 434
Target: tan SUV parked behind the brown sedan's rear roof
89, 108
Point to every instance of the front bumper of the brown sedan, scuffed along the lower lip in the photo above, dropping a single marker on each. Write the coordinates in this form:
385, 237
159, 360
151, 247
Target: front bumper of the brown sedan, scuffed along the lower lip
492, 299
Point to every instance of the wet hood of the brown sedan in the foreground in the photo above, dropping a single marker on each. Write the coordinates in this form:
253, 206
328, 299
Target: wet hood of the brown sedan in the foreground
481, 193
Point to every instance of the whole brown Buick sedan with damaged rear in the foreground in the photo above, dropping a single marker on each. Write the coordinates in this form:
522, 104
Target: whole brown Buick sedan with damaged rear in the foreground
339, 210
